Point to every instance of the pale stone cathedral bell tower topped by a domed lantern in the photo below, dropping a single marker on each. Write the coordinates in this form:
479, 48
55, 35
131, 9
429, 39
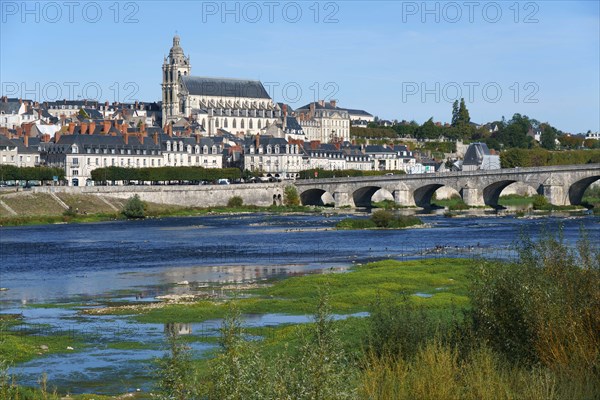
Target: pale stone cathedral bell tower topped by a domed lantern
174, 66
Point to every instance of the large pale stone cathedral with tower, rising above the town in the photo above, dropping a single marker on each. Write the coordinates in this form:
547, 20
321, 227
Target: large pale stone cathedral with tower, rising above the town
238, 106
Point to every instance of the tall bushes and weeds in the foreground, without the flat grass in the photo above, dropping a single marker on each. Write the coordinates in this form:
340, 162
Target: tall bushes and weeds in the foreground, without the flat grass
529, 331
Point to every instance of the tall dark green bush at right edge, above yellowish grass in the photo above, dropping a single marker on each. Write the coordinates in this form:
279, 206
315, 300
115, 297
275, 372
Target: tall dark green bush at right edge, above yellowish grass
543, 308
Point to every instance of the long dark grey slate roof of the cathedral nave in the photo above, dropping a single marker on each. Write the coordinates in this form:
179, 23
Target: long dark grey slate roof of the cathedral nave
224, 87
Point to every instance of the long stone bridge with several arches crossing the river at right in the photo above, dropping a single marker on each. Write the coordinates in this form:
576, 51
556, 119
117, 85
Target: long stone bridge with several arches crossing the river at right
561, 185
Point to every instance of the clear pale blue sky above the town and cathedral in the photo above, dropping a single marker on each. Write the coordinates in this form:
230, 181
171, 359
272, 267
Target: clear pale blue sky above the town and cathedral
404, 60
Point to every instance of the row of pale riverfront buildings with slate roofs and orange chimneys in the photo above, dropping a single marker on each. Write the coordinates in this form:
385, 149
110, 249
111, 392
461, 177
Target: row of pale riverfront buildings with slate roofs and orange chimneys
84, 145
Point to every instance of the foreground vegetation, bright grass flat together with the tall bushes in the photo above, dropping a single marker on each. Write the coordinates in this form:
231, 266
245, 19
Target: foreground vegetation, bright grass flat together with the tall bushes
526, 329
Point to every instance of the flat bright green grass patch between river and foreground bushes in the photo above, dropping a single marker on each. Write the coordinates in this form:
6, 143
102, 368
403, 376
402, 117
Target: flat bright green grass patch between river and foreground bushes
349, 292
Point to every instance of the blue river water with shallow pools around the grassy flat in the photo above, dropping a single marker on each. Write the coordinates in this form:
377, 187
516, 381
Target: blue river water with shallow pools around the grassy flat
138, 260
